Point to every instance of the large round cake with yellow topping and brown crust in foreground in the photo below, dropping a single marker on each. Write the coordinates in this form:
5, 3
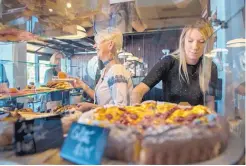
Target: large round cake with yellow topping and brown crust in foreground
164, 133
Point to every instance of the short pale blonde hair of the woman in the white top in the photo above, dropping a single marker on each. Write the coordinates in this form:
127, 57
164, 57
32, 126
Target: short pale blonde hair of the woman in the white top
113, 34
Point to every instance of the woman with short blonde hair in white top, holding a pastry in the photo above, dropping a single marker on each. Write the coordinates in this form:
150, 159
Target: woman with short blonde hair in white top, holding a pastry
115, 85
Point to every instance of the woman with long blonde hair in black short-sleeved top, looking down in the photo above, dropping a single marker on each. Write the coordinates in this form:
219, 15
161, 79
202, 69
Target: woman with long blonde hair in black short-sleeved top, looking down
187, 75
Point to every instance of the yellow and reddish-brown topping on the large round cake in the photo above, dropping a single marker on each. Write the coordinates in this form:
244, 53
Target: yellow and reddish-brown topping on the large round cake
150, 113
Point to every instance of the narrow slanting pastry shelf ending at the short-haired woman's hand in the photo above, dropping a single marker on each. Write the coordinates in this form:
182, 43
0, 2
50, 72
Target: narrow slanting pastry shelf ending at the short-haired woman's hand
29, 94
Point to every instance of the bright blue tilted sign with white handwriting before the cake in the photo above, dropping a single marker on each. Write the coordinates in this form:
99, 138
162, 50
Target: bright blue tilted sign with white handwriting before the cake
85, 144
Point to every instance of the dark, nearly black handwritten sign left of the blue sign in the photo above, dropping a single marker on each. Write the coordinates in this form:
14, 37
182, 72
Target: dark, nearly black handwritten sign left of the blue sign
38, 135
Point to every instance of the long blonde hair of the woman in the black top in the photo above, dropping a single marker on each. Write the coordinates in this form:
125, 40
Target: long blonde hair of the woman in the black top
205, 69
